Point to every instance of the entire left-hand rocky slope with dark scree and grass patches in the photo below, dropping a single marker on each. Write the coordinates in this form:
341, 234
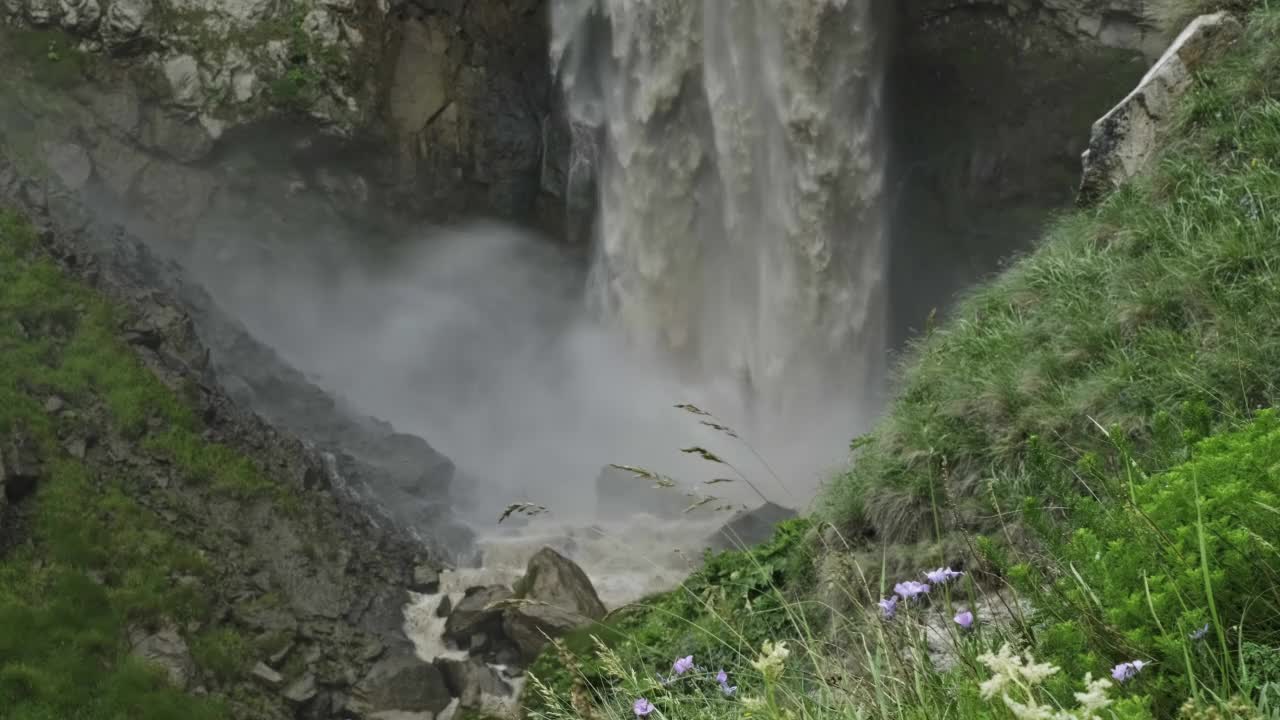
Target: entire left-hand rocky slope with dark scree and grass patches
226, 550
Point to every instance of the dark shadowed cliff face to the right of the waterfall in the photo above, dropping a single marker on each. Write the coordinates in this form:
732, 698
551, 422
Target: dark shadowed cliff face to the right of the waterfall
993, 104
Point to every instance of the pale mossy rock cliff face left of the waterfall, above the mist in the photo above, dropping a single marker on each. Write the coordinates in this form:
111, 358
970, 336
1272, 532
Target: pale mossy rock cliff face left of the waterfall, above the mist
437, 107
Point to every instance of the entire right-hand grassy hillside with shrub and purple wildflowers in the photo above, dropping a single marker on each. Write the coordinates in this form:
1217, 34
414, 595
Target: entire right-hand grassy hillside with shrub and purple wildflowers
1091, 434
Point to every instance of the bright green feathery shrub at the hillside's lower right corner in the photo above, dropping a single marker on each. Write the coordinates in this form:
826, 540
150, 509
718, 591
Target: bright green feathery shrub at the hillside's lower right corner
1180, 569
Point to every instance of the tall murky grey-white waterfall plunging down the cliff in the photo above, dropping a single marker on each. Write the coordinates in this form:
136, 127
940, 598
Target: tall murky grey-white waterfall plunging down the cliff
740, 175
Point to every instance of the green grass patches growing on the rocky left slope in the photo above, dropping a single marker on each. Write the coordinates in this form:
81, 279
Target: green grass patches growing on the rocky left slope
94, 560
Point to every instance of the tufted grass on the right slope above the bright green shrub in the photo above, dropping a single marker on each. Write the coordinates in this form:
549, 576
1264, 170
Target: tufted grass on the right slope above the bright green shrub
1163, 297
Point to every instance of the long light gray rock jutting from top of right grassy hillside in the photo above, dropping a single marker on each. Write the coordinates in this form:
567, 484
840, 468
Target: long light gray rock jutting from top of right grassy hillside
1126, 140
